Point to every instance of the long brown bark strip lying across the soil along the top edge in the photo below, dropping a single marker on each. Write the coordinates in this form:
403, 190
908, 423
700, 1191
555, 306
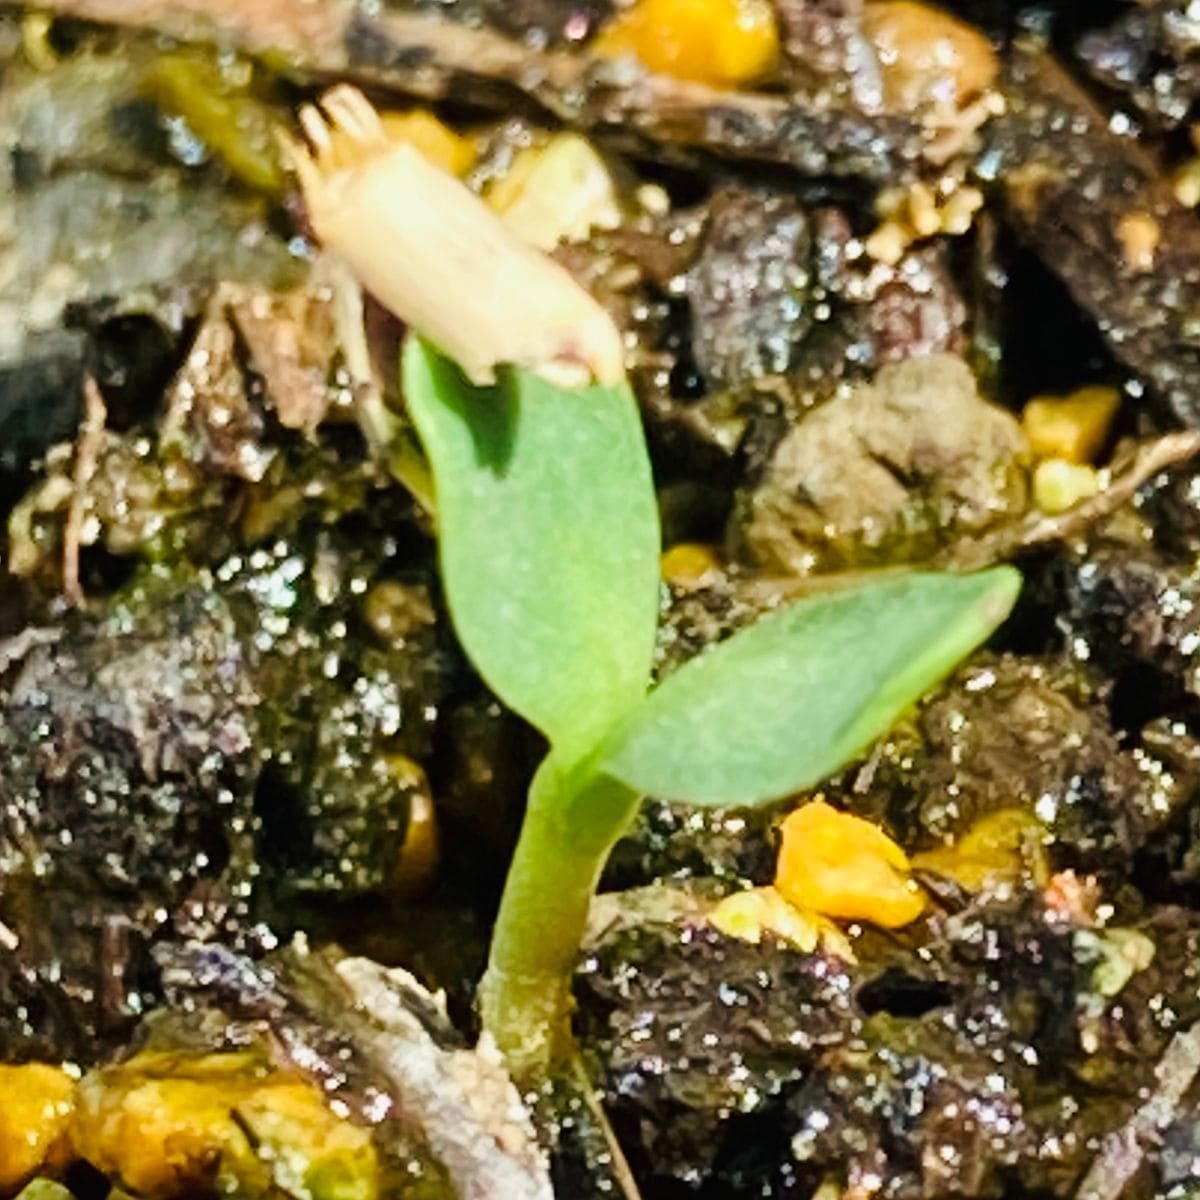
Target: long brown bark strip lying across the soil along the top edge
433, 58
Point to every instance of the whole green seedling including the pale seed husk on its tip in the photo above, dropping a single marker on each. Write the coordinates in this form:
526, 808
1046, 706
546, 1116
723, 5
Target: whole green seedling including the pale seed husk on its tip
549, 542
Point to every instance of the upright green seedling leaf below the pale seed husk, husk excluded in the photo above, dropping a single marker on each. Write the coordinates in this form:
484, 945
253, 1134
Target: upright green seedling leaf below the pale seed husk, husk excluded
549, 539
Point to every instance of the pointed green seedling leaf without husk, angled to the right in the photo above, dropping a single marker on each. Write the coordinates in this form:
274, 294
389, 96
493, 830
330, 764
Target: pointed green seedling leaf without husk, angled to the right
788, 701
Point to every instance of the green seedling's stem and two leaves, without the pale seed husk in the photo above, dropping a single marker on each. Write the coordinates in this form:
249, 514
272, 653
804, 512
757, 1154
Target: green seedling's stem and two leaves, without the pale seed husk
549, 542
